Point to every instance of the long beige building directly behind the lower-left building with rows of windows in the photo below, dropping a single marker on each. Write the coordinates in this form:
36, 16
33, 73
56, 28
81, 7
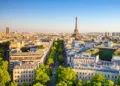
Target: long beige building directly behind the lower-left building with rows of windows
24, 57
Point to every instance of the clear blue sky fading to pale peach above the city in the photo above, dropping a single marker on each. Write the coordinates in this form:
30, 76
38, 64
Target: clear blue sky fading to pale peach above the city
59, 15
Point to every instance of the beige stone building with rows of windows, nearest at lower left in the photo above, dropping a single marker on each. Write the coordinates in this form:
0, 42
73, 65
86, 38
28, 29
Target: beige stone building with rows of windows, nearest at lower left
24, 73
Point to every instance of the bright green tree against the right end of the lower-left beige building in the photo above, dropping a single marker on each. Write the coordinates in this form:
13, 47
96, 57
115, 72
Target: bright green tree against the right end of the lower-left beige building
41, 76
